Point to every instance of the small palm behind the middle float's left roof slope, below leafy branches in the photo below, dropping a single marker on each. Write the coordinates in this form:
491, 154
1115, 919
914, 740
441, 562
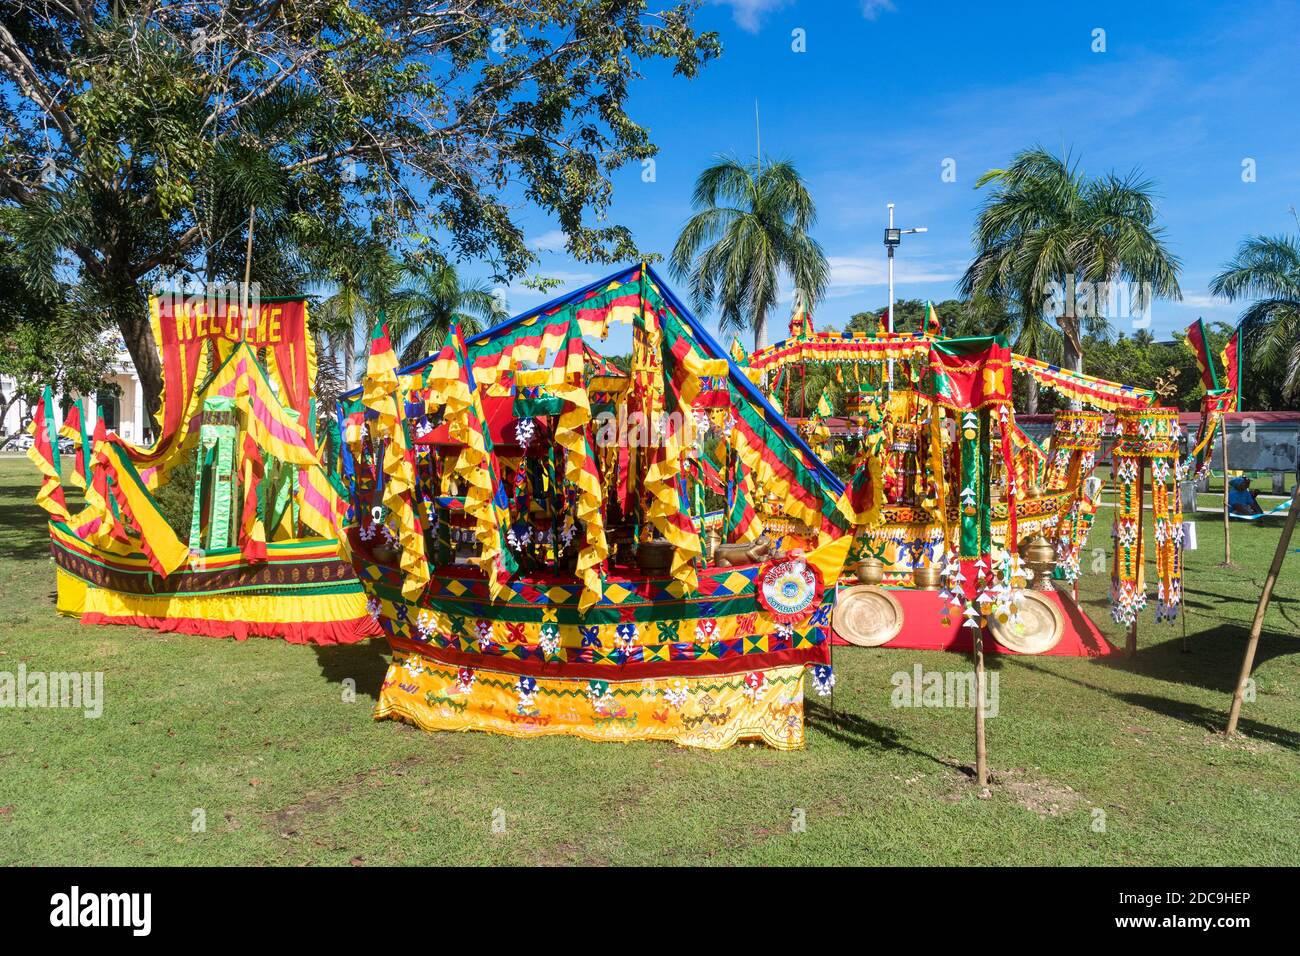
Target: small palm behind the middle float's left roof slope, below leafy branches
432, 299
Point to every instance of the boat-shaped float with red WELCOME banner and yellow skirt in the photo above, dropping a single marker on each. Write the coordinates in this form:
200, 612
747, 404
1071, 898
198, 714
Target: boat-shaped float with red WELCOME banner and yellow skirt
261, 552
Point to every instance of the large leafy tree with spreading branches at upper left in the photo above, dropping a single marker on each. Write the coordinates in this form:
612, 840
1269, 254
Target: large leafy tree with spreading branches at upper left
136, 139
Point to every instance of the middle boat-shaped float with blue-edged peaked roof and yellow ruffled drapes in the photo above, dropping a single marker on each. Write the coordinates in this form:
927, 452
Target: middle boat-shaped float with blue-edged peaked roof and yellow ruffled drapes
540, 533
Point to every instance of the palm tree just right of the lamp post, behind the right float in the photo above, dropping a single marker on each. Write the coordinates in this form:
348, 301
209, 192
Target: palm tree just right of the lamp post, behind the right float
1047, 228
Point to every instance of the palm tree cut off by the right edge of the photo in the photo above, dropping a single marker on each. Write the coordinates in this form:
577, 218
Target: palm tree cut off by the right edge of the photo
1267, 269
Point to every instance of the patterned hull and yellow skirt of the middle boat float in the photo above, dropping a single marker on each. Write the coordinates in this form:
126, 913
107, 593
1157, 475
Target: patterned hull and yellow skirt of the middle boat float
651, 661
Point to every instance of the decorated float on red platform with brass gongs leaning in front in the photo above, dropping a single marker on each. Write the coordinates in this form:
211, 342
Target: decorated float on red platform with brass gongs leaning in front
951, 495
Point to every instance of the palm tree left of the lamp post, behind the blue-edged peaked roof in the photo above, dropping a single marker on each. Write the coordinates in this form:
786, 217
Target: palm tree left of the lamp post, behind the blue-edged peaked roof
752, 223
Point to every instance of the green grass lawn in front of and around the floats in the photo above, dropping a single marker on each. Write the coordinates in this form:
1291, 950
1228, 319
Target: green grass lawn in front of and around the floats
259, 738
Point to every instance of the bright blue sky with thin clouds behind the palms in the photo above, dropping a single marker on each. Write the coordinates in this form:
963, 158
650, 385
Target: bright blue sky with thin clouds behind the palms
887, 90
